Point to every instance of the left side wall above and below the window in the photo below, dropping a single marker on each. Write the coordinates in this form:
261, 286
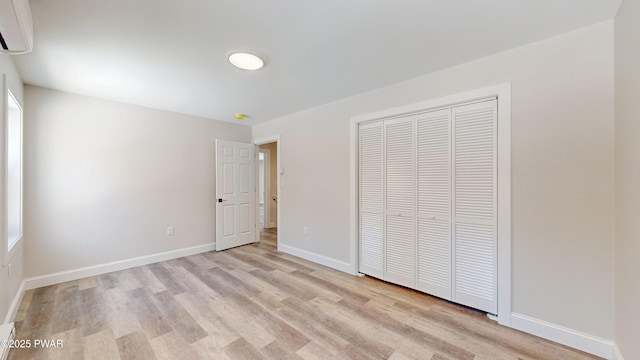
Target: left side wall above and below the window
10, 277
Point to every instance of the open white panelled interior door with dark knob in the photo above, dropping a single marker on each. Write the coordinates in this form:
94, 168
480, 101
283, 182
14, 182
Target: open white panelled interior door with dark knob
235, 194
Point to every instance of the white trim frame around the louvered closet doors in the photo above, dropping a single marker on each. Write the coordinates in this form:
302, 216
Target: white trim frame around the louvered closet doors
503, 93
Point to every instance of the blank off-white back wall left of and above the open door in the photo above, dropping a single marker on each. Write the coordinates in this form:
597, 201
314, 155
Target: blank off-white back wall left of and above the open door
103, 180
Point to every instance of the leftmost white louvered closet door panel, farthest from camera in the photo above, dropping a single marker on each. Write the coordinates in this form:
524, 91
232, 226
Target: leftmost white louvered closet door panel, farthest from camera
371, 199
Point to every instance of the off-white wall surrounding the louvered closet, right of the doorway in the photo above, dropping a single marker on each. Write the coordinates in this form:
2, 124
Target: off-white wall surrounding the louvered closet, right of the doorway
562, 171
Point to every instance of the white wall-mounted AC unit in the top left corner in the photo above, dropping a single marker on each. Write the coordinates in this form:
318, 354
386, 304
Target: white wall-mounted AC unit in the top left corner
16, 27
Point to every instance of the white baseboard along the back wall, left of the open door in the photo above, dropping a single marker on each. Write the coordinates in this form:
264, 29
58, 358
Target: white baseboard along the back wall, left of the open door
75, 274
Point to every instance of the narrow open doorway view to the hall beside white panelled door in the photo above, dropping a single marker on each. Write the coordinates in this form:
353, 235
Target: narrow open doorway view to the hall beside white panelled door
268, 188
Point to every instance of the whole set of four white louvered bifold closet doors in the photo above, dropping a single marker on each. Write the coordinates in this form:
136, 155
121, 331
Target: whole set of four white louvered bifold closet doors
428, 202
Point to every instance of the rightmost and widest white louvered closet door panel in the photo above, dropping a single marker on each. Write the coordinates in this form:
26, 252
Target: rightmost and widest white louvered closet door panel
474, 205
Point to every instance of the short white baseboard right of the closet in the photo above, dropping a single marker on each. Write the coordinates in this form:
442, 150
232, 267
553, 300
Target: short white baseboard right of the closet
560, 334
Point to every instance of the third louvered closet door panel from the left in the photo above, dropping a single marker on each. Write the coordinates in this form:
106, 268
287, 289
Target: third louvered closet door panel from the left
434, 218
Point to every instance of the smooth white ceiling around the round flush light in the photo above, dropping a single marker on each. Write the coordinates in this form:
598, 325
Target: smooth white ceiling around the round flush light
172, 55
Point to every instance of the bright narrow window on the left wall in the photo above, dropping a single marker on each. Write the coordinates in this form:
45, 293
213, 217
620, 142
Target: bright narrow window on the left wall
14, 171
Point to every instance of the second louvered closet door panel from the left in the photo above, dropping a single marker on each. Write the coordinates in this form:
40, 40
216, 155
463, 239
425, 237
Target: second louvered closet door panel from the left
400, 247
